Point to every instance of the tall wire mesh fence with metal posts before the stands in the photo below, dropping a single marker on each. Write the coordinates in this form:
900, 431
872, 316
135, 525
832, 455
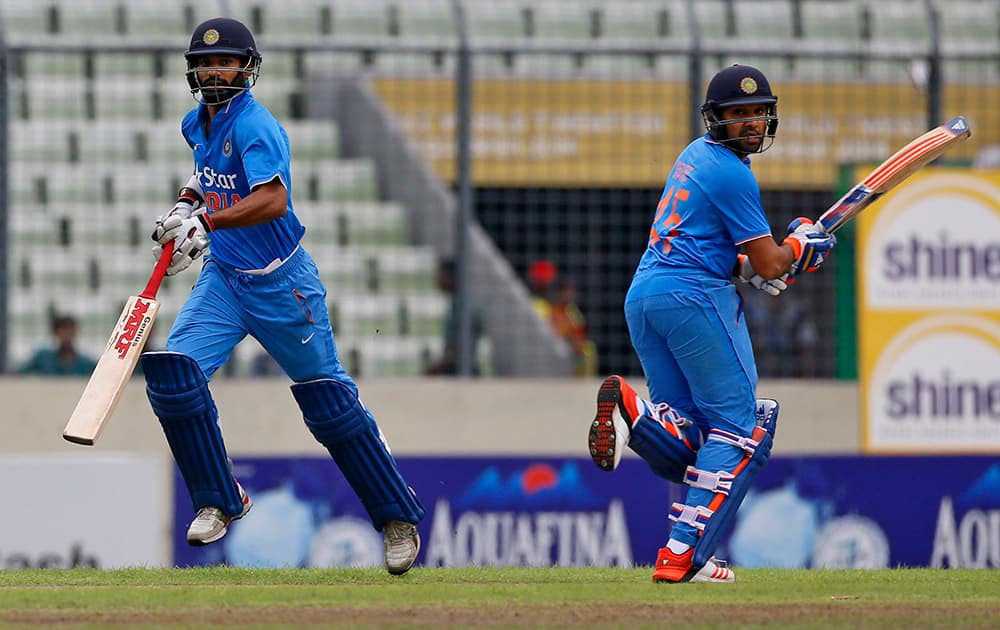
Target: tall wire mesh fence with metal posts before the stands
543, 135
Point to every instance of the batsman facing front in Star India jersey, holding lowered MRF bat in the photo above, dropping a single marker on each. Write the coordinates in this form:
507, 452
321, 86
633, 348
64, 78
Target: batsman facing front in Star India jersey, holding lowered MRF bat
256, 280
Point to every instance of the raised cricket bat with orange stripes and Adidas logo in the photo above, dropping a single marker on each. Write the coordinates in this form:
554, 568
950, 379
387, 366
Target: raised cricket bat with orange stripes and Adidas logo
903, 163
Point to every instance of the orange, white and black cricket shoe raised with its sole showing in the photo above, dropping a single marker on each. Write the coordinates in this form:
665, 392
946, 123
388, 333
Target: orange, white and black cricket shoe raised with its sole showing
617, 410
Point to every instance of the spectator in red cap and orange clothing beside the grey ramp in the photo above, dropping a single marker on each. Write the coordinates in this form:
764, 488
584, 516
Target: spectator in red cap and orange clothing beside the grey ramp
554, 299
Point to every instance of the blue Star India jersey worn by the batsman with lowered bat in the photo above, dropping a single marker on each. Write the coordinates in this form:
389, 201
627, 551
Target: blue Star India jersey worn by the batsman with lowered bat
246, 146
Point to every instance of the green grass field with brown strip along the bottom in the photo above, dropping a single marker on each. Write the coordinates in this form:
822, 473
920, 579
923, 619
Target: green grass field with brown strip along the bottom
558, 597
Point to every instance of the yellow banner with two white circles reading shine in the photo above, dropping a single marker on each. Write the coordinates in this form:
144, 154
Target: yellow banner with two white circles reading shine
929, 315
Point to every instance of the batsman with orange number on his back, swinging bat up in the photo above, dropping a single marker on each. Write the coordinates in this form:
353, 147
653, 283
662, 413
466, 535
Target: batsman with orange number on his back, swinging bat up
703, 425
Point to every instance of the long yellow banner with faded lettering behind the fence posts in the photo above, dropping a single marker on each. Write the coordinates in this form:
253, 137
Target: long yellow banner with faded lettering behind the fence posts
626, 133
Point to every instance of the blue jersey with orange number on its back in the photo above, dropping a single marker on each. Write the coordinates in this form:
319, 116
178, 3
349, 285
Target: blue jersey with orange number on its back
709, 207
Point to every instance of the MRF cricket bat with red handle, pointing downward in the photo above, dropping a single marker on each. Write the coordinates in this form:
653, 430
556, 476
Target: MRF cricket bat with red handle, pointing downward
117, 363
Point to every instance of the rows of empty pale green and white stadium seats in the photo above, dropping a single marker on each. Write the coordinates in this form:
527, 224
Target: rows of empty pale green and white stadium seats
86, 126
